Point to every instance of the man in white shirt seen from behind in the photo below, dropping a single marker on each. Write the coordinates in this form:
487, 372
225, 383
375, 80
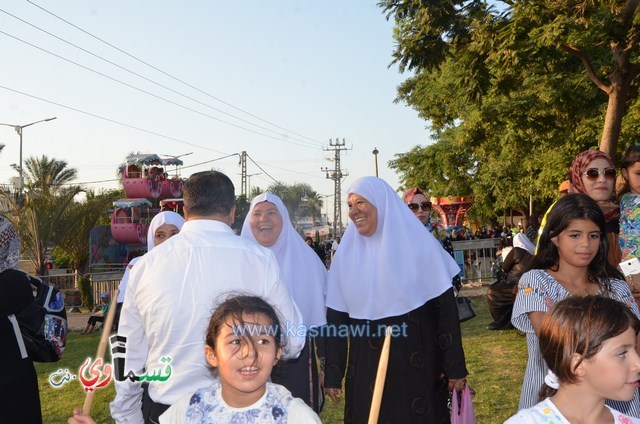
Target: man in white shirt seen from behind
173, 290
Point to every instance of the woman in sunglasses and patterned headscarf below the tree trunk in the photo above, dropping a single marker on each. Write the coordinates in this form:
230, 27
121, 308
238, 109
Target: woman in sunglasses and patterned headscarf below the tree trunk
593, 173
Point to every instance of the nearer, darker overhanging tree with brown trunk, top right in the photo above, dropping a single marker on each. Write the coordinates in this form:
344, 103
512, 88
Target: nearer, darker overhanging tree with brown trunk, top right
596, 42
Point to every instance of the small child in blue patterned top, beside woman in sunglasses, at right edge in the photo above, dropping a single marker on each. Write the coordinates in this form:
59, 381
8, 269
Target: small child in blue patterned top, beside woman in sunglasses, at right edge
630, 205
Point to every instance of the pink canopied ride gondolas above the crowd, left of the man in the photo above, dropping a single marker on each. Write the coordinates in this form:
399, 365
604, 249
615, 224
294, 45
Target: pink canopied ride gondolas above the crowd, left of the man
144, 177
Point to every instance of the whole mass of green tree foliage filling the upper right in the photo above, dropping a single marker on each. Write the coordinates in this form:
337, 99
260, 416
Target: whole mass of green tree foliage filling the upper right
509, 102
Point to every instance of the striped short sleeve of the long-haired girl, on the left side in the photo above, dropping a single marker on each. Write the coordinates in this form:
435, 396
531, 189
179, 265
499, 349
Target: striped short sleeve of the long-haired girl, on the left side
532, 296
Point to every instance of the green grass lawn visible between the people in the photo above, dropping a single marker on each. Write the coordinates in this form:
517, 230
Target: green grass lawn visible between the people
495, 359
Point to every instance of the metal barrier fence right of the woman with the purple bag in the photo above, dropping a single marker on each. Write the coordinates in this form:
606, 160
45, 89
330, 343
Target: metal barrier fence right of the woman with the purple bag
475, 258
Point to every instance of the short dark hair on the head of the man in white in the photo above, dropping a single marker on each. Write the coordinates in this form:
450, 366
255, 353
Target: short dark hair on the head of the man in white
209, 193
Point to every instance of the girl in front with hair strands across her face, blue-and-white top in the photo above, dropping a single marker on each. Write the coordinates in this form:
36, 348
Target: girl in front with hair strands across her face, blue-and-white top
242, 346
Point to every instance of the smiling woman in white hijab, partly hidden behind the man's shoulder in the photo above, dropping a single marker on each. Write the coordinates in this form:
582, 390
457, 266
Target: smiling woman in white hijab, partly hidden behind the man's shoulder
268, 224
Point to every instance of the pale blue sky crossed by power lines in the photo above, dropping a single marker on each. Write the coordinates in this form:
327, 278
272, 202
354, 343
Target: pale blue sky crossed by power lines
317, 69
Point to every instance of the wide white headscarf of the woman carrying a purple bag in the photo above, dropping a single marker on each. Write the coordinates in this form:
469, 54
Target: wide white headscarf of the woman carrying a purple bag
397, 269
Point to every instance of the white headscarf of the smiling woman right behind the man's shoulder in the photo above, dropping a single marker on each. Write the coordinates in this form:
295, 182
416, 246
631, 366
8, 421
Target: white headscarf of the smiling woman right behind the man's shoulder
304, 273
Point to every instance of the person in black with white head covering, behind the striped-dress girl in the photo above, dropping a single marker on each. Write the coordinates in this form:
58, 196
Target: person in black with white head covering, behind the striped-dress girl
502, 293
